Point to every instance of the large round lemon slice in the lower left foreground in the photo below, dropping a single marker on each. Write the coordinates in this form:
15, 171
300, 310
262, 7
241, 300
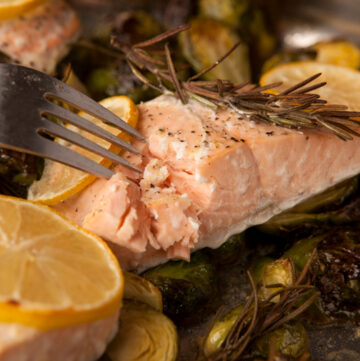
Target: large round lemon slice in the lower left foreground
53, 273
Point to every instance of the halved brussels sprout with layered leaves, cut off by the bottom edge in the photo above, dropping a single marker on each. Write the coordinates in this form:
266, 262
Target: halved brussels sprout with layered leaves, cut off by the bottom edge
144, 335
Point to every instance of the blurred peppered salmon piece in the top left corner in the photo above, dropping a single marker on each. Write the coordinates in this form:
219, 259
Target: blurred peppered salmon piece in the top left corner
41, 37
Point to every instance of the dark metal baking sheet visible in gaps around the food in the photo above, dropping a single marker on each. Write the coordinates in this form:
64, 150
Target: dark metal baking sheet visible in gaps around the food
300, 23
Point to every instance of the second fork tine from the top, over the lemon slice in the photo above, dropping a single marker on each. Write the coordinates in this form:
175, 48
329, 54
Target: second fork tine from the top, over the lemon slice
68, 116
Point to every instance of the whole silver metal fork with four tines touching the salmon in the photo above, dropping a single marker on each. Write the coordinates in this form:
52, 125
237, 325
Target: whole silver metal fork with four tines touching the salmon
26, 98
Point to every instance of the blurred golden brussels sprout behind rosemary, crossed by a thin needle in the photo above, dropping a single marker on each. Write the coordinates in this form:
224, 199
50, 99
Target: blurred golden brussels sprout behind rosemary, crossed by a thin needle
206, 42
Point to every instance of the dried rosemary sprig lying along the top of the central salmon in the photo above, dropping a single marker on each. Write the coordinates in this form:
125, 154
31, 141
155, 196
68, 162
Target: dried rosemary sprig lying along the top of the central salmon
294, 108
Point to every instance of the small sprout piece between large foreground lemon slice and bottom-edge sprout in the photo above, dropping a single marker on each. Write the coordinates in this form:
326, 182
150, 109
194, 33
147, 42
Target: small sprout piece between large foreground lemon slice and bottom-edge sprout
141, 290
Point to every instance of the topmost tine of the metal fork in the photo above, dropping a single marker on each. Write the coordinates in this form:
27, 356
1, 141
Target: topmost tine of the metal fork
81, 101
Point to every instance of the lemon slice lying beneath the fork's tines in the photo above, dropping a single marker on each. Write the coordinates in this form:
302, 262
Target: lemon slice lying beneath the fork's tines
58, 182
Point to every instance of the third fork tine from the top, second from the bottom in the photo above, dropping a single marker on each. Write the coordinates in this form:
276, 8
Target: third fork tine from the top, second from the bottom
56, 130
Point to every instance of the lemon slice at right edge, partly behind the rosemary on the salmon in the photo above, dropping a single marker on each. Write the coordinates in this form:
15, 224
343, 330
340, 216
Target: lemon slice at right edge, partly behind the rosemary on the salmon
343, 84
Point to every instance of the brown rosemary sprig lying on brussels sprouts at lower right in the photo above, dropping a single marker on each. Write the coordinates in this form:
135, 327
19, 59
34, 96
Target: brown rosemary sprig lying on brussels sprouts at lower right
258, 318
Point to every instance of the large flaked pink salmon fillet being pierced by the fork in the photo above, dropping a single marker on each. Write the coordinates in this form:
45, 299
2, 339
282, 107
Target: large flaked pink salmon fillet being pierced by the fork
206, 175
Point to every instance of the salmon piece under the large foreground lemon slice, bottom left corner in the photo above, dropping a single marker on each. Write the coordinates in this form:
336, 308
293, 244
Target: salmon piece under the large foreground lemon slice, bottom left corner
84, 342
